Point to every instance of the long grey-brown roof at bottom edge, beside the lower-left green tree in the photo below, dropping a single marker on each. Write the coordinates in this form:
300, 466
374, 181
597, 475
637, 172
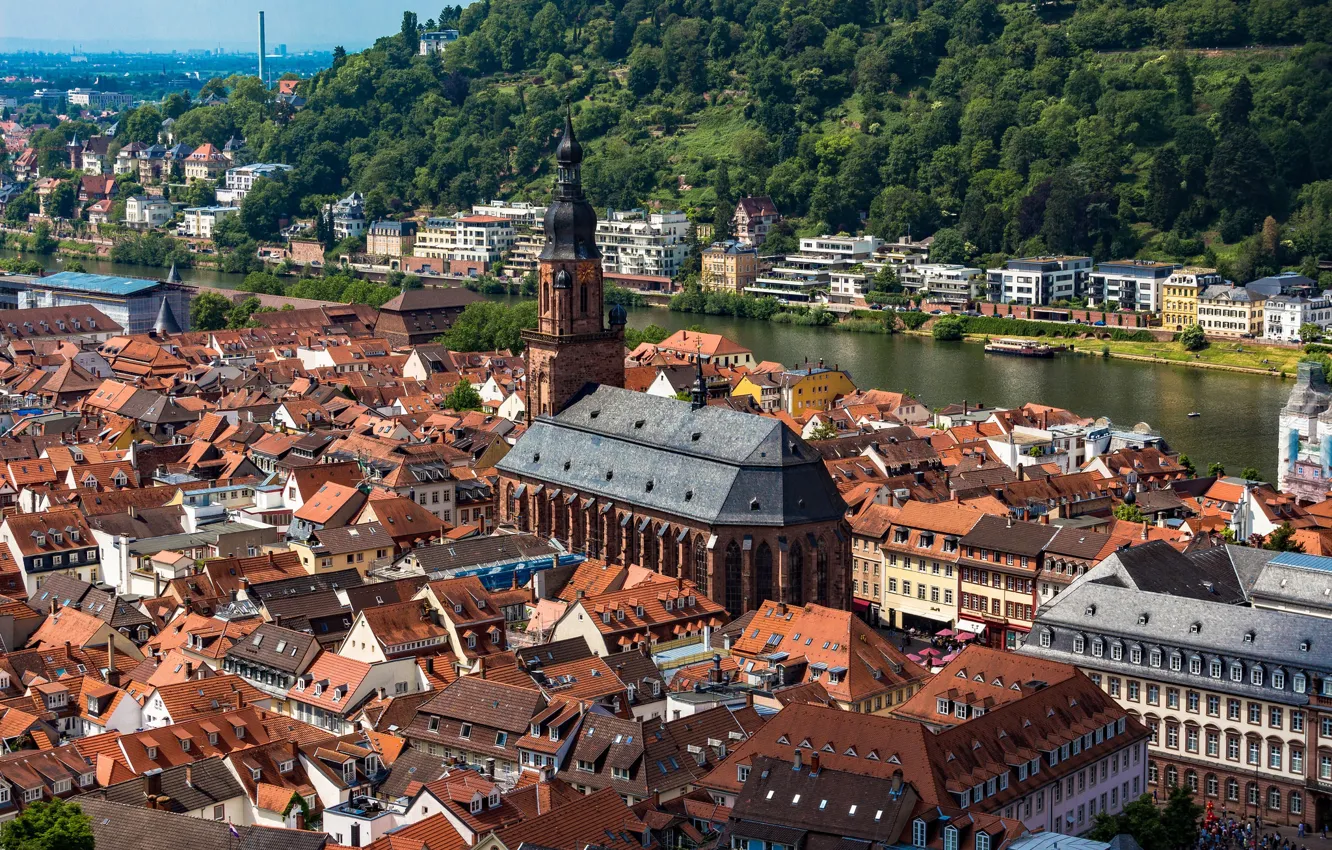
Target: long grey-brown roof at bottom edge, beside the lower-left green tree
118, 827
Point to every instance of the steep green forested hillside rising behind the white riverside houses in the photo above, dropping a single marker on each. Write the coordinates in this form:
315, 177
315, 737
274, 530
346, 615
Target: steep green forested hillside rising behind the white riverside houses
1112, 127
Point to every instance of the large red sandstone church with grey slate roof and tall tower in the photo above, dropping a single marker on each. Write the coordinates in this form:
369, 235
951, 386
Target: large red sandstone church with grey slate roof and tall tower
736, 503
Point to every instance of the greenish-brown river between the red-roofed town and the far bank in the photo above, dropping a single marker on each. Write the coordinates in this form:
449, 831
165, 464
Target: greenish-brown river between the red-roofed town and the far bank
1238, 423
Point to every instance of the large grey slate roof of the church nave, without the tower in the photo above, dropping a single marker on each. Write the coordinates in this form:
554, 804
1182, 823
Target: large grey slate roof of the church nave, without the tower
711, 464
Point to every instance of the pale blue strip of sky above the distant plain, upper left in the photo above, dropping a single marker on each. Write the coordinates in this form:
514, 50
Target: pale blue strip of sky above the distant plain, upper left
186, 25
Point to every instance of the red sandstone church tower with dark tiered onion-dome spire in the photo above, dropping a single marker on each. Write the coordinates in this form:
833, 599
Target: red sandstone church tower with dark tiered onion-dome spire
573, 344
